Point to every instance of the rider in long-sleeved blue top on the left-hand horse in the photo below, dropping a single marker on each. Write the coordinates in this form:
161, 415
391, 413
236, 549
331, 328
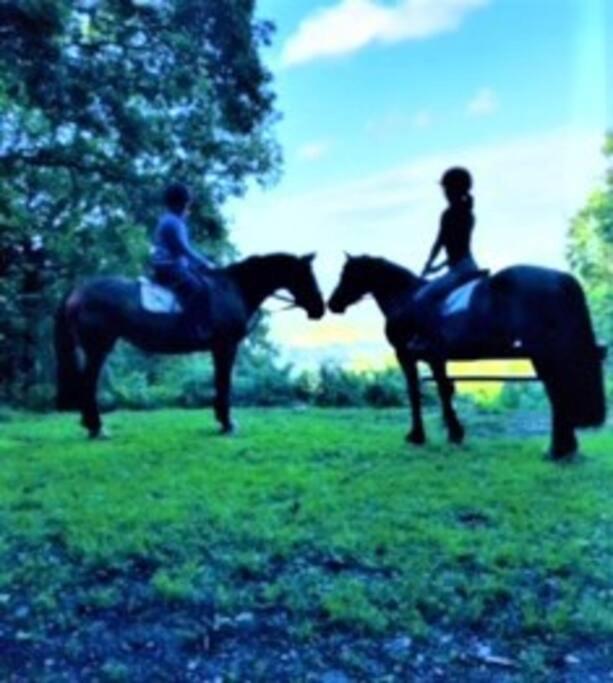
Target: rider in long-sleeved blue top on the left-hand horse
177, 265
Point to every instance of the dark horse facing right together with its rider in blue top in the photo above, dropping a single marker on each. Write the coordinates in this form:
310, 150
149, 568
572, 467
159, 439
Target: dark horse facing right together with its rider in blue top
214, 312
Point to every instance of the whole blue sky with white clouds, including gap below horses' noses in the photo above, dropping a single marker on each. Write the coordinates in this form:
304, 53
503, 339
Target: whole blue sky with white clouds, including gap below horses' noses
379, 96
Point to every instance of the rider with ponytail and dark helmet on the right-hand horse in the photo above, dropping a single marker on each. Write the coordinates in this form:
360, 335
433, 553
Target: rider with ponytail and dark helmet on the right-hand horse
454, 236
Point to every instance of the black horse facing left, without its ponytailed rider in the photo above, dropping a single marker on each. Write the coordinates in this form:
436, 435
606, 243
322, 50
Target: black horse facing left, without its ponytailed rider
524, 311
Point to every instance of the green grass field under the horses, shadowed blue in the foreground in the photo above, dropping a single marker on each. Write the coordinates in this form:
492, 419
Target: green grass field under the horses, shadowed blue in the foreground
314, 545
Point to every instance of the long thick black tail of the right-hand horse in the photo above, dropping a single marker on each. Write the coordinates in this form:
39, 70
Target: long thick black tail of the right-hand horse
582, 380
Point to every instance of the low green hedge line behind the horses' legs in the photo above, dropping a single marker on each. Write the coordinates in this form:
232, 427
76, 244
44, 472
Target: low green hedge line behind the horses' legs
134, 381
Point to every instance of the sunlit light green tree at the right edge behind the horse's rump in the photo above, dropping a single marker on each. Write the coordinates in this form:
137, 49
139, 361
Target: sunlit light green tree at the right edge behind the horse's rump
590, 249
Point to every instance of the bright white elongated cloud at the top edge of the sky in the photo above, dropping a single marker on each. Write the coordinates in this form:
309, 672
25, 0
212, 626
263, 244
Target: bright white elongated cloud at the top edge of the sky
351, 25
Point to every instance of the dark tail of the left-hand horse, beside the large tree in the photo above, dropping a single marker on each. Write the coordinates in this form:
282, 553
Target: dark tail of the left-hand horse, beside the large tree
68, 372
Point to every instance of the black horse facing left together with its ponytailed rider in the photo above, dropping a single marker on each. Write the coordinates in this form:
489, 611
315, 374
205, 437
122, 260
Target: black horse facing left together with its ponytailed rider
466, 314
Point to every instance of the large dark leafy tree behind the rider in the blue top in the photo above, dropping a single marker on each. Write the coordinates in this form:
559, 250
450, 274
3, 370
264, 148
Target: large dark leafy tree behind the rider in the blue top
101, 102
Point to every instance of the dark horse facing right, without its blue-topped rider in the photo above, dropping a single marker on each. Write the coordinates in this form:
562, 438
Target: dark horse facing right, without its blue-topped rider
101, 311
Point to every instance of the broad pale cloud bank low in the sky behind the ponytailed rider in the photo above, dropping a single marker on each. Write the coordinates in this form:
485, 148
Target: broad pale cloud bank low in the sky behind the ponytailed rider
526, 191
